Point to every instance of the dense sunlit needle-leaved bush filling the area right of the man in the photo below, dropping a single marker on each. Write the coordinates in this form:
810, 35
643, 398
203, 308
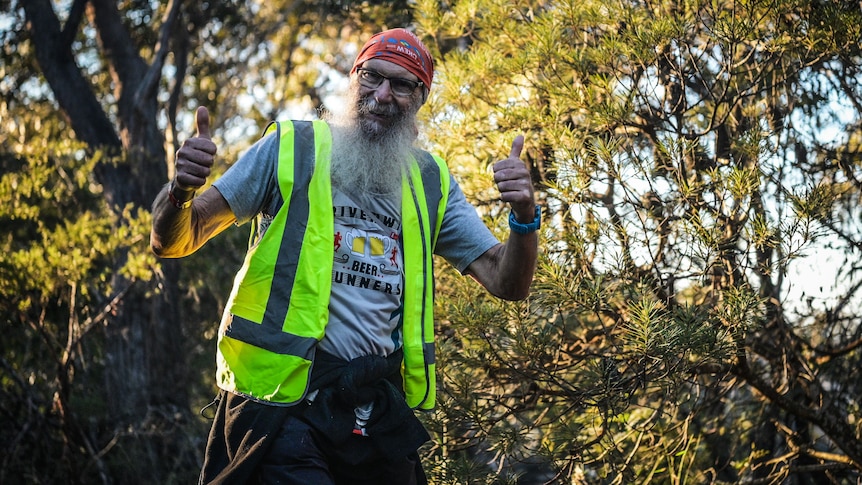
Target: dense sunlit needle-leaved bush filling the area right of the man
691, 156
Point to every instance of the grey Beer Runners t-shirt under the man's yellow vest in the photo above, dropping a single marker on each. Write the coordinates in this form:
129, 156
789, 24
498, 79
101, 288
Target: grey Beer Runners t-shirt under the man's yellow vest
366, 300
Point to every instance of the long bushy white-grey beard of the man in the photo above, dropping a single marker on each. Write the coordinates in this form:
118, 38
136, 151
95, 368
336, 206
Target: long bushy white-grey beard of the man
369, 162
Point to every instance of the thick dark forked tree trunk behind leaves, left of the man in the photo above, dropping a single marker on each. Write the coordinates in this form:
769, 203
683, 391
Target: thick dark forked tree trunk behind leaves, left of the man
145, 367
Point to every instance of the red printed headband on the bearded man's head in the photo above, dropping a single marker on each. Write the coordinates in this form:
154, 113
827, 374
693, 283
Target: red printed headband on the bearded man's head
401, 47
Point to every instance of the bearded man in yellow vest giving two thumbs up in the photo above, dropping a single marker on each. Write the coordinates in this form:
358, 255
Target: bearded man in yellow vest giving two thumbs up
326, 344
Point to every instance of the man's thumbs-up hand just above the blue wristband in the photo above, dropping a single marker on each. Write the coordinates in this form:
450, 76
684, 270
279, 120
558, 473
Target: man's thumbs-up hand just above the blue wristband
513, 180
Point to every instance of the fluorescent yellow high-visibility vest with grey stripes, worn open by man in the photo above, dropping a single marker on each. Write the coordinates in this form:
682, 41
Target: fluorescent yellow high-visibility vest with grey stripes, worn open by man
279, 306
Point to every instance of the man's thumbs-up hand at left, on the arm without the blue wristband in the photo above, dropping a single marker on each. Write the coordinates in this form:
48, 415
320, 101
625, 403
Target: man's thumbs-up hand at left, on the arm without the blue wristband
195, 158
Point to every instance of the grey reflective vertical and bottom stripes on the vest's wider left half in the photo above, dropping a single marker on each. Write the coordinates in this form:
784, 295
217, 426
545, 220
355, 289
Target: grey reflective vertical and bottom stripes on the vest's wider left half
269, 334
